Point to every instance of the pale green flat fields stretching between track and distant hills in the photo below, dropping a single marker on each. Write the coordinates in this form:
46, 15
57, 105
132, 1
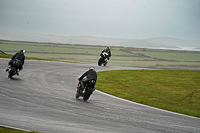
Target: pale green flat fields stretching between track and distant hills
121, 56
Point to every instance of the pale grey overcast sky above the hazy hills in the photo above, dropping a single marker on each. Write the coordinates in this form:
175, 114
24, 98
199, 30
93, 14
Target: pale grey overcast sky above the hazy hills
130, 19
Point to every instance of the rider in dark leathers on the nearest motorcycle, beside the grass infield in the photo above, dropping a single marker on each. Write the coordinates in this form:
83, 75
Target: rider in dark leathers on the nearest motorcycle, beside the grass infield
88, 75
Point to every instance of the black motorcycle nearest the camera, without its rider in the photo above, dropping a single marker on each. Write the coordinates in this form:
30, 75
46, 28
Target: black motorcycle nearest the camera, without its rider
87, 90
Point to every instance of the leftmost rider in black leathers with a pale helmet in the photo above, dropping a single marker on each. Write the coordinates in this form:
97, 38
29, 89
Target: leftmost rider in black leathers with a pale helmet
19, 56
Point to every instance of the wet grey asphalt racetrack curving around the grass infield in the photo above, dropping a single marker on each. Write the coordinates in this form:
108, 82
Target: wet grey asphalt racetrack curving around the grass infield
42, 98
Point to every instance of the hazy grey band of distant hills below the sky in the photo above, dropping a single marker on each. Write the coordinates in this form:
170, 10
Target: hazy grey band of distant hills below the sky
161, 42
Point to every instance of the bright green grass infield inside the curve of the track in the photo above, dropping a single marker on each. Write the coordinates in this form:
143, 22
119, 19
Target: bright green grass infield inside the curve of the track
173, 90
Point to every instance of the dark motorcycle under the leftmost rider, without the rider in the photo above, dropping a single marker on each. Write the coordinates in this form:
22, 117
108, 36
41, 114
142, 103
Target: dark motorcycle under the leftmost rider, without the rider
14, 68
